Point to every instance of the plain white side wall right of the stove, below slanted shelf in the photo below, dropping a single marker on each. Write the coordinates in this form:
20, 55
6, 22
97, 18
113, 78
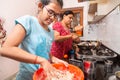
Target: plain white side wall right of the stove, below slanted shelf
109, 30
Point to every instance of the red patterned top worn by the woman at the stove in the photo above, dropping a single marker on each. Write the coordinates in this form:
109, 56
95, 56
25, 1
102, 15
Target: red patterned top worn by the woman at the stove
58, 49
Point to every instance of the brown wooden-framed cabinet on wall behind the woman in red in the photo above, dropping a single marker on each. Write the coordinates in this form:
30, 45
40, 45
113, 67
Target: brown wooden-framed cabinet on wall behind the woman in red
78, 17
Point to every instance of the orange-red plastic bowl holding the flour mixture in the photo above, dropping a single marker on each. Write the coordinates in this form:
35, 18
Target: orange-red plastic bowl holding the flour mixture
78, 74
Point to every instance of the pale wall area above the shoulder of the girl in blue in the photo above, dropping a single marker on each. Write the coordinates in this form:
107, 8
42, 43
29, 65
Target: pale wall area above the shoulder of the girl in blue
11, 9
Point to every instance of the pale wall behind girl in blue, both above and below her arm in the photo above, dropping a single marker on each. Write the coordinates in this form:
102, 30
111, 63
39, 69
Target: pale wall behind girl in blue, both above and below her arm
10, 10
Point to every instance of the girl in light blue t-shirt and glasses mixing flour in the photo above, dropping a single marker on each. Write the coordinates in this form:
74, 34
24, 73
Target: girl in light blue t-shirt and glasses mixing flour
34, 37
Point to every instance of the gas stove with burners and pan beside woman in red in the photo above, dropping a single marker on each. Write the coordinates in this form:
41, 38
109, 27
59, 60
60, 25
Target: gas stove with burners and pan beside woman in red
95, 49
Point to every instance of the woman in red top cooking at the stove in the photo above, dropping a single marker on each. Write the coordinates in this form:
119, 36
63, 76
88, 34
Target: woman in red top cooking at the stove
63, 38
